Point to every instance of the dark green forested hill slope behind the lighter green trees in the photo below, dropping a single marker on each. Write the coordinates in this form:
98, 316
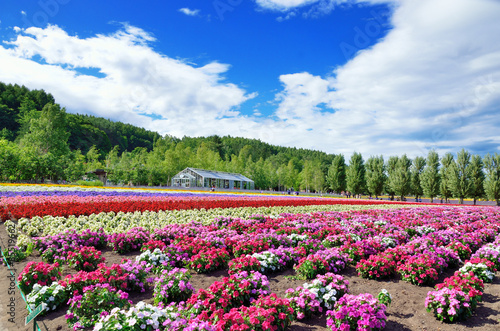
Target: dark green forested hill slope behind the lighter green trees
86, 131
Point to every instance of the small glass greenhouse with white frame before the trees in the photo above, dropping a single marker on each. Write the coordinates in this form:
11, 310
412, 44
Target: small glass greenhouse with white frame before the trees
192, 177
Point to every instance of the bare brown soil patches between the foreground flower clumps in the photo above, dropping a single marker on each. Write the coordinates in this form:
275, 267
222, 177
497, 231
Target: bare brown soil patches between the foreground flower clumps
407, 311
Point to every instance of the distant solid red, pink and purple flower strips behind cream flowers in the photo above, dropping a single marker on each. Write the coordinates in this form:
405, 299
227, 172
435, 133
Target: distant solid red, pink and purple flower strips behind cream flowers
19, 203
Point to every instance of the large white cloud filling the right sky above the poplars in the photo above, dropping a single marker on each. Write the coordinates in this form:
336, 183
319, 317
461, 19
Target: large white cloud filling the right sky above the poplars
432, 82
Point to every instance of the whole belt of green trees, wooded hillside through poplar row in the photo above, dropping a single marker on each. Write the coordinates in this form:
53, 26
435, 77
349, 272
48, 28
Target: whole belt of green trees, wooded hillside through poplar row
40, 141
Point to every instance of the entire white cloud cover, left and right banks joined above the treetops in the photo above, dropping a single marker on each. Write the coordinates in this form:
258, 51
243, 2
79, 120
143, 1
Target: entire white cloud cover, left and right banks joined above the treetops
432, 82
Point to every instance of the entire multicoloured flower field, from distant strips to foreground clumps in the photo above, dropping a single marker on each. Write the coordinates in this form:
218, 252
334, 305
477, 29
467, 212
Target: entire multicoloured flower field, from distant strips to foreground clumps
157, 260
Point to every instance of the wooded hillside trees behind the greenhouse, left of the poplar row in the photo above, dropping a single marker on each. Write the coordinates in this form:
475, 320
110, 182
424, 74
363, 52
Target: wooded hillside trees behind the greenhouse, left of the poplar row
39, 141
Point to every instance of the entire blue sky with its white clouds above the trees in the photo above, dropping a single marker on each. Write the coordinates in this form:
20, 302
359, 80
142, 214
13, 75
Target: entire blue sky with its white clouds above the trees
378, 77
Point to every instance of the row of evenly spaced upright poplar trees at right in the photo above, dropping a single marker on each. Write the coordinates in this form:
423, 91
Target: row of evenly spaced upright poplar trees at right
466, 176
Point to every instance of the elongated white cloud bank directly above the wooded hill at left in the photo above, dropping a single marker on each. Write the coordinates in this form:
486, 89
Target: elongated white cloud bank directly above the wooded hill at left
137, 79
